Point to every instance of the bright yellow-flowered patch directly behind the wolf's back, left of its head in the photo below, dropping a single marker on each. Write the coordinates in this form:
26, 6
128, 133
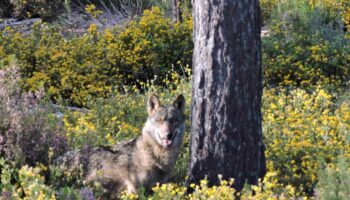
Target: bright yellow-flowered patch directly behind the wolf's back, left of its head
107, 122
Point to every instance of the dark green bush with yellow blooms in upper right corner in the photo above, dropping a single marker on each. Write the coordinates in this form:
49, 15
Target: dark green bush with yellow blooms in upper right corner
305, 48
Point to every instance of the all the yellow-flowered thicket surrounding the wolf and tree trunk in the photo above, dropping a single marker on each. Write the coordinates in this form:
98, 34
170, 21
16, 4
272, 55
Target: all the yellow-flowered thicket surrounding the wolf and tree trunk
110, 73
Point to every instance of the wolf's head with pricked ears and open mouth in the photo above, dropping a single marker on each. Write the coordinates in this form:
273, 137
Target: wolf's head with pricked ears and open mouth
165, 124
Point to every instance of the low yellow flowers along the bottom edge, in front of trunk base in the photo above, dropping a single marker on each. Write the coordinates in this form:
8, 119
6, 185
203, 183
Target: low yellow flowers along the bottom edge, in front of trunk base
266, 189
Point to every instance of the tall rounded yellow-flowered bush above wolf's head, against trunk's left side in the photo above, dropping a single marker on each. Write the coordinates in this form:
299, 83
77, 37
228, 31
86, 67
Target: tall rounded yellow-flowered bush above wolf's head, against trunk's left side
153, 44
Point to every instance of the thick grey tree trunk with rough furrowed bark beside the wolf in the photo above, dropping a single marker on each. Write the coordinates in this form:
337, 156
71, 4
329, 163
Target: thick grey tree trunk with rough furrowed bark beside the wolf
226, 132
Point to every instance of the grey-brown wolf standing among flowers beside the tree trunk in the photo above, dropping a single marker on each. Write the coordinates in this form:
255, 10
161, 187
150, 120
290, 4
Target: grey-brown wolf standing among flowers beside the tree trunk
141, 162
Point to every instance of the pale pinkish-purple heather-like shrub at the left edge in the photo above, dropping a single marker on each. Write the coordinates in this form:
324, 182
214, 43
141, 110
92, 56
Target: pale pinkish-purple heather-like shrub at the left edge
28, 131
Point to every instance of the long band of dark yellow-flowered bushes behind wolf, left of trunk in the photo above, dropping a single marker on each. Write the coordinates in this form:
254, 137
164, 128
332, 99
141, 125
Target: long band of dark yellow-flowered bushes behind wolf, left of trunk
98, 62
